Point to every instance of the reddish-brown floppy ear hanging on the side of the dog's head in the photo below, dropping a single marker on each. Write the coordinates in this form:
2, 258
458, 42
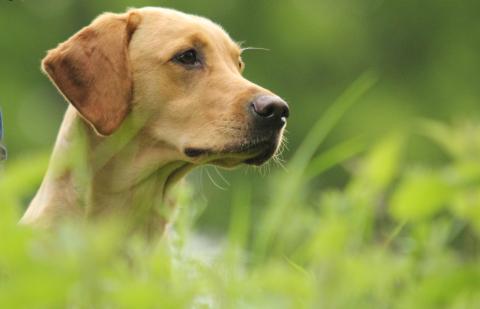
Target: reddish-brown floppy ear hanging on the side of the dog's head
92, 71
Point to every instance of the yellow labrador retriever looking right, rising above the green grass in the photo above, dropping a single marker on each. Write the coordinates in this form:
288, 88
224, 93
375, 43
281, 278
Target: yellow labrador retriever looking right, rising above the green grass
153, 93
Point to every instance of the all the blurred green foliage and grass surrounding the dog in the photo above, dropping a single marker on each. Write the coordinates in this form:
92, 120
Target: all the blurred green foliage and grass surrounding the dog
377, 207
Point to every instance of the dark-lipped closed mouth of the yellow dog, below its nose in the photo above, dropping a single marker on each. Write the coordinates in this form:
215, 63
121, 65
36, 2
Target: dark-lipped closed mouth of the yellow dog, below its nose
255, 151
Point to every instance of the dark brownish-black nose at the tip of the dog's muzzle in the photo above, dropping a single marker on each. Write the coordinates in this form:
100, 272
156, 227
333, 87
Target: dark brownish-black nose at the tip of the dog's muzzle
270, 110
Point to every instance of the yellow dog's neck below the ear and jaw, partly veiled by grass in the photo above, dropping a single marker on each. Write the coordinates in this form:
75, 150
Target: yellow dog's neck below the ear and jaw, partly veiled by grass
90, 175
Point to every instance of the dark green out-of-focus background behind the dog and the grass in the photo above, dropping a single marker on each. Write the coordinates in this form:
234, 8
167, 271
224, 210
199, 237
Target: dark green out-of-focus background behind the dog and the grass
424, 52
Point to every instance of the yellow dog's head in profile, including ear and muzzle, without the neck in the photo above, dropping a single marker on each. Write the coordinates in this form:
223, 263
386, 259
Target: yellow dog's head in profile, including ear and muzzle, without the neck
182, 72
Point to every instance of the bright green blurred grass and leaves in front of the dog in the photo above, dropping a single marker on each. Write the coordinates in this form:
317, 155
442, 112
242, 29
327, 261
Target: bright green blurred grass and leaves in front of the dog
402, 233
